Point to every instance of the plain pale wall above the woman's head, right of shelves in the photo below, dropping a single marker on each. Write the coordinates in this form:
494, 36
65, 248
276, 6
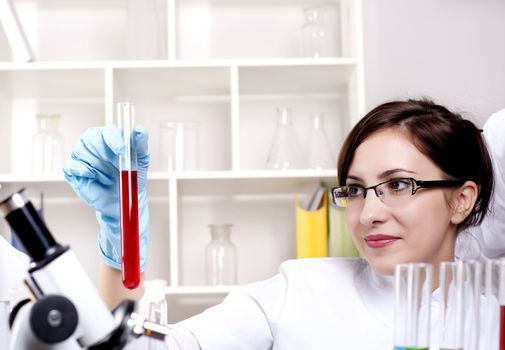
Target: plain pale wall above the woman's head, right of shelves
450, 50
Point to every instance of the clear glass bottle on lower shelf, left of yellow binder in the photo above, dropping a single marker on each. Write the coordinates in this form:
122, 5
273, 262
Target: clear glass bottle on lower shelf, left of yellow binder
221, 257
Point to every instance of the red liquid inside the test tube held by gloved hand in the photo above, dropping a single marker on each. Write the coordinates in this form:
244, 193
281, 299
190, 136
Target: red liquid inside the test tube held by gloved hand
130, 247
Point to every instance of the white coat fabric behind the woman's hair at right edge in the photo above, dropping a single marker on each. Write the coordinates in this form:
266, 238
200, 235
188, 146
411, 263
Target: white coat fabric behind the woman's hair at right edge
490, 235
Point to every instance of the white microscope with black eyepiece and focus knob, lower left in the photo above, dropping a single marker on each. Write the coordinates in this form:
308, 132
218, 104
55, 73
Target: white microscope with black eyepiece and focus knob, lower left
65, 311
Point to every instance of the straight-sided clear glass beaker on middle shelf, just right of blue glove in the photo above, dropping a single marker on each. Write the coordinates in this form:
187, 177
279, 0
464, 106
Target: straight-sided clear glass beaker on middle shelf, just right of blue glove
179, 146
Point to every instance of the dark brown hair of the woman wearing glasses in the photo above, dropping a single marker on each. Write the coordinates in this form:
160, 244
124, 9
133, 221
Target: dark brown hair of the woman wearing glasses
453, 143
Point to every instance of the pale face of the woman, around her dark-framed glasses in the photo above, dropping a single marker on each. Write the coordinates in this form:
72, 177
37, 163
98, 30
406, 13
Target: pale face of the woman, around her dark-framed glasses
385, 235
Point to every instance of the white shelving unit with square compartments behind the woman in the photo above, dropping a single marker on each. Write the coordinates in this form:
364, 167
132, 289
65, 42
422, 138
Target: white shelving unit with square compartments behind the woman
225, 64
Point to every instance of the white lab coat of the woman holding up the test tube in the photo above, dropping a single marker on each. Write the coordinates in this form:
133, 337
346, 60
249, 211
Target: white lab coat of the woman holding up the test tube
332, 303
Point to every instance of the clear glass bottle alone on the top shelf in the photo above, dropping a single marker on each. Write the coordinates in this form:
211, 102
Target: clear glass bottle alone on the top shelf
313, 33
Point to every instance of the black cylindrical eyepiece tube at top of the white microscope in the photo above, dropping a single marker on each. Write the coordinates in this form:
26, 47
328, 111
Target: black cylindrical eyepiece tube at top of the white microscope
30, 229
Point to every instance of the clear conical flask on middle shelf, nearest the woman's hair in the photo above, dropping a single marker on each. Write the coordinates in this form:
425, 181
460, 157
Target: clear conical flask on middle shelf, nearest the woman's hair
318, 153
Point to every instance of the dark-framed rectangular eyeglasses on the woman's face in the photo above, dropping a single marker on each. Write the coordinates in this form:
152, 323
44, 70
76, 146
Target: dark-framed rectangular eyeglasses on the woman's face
395, 192
